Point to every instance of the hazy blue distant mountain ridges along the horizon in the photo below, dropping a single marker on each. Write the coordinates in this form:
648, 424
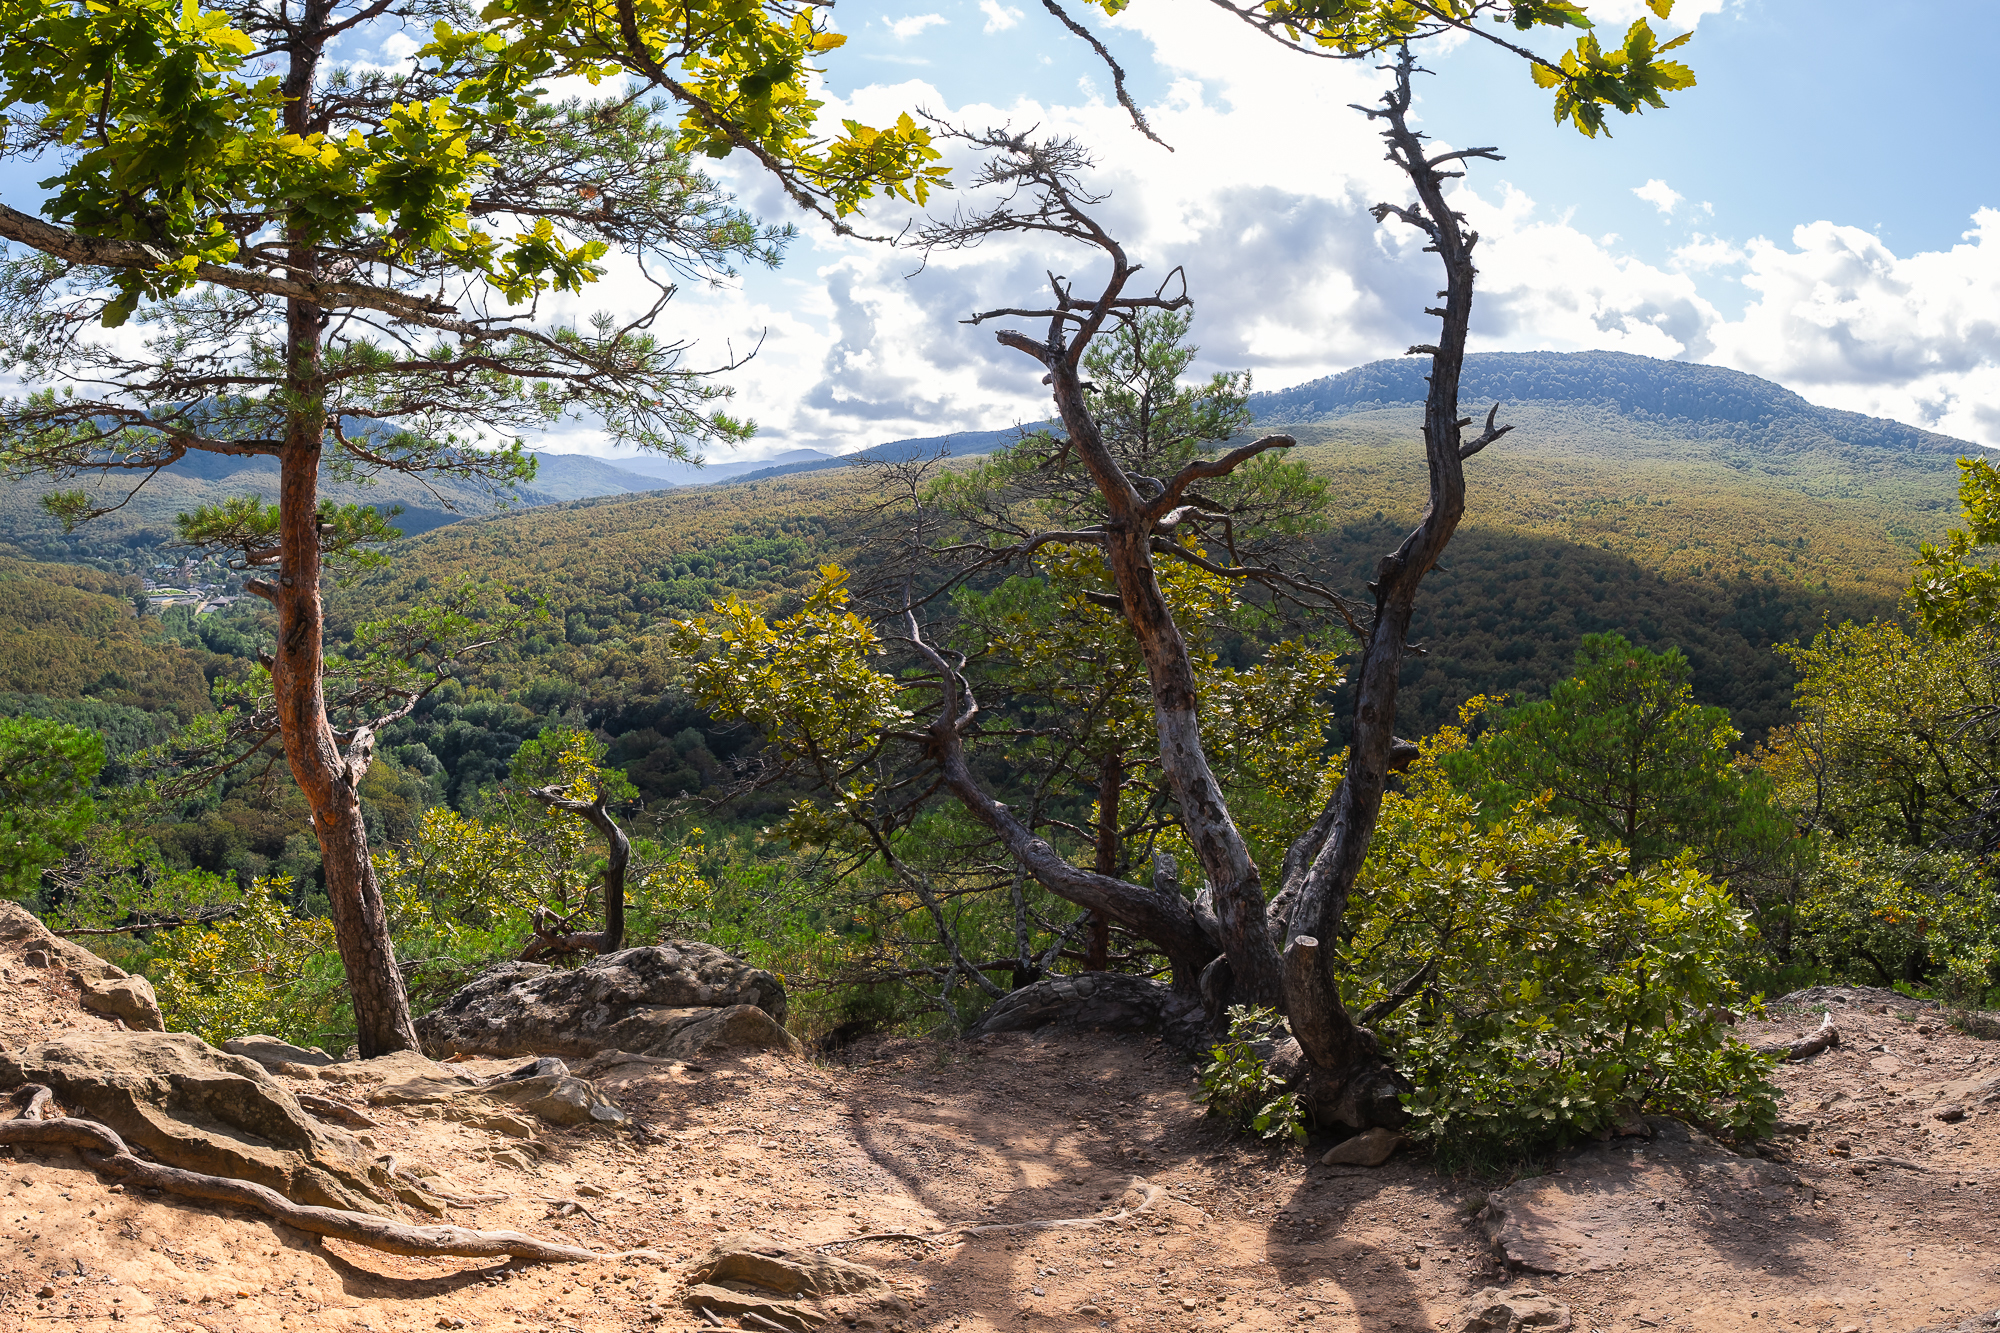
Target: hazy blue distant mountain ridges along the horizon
1643, 407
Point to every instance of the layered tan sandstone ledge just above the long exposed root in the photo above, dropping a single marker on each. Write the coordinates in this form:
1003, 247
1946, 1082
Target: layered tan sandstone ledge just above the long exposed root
203, 1110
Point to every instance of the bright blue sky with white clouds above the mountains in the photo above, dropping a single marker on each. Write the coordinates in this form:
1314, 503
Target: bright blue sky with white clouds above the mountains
1823, 209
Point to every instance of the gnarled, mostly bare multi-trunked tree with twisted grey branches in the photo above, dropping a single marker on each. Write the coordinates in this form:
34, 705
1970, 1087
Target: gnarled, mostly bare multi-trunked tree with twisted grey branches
1269, 952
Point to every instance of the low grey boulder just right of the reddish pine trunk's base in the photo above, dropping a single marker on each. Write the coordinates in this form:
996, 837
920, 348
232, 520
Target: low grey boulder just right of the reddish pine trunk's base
671, 1002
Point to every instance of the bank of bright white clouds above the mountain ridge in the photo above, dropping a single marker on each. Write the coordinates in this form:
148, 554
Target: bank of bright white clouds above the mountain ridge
1293, 279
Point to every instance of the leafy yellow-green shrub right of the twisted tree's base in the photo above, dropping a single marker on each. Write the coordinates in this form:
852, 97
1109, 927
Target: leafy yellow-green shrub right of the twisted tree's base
1561, 990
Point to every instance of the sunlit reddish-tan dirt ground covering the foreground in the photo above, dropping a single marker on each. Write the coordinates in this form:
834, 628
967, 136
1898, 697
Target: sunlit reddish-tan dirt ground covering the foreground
917, 1138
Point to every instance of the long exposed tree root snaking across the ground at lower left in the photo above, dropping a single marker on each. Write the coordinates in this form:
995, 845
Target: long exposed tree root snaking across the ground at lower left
109, 1154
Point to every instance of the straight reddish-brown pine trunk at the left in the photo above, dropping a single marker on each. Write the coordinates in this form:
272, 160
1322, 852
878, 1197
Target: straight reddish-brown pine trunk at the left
329, 780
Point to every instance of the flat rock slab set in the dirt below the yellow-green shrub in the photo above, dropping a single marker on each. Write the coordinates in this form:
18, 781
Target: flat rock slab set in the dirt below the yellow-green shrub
1613, 1206
